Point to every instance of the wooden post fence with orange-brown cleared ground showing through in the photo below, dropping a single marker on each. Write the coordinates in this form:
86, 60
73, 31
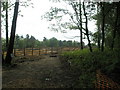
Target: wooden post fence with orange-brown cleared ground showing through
41, 51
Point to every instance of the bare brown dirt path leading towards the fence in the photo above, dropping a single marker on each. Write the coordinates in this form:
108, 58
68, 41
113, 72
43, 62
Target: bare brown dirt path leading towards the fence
47, 72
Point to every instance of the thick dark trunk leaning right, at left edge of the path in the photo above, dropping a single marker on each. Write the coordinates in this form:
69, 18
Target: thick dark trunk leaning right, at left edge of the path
12, 36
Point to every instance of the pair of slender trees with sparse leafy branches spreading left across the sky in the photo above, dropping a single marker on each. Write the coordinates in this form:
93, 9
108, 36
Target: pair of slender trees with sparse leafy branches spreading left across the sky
78, 15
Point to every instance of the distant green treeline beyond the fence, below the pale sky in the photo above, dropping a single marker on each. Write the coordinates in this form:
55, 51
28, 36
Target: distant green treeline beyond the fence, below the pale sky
32, 42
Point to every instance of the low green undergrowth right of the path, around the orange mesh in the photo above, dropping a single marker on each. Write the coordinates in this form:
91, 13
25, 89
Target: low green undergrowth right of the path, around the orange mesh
86, 63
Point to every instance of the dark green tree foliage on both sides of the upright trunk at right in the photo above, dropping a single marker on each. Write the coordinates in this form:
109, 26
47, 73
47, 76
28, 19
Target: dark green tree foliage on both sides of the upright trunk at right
111, 22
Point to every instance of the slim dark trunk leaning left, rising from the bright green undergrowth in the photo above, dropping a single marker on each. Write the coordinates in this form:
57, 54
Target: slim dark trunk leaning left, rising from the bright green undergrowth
86, 26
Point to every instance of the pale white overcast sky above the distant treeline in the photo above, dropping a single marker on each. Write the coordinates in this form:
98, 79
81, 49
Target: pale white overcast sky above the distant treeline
32, 24
